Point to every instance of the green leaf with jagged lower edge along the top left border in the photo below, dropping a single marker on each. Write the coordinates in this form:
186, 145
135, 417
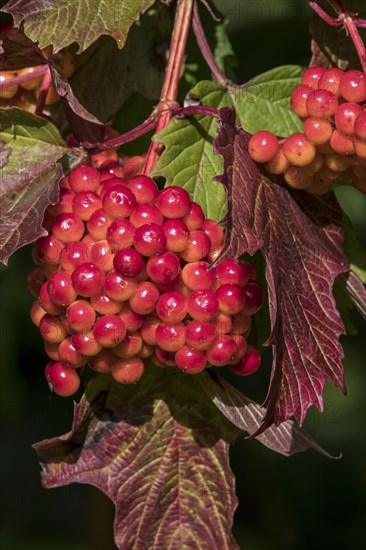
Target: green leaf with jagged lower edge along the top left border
65, 21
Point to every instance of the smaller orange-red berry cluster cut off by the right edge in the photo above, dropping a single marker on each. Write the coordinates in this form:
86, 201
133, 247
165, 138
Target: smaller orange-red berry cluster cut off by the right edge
332, 146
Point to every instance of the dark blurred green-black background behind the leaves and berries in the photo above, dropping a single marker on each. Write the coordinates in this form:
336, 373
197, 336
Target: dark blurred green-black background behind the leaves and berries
306, 501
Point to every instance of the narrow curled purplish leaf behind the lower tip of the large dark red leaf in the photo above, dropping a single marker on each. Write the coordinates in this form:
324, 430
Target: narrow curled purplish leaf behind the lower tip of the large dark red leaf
286, 439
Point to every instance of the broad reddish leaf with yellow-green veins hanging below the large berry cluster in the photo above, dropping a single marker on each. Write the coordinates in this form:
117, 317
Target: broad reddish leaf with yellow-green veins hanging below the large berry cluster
159, 450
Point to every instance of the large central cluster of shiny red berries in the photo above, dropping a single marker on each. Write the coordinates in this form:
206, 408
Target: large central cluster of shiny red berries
124, 275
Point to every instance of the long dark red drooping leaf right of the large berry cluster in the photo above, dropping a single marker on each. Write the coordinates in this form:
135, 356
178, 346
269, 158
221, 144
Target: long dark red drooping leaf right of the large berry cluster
302, 247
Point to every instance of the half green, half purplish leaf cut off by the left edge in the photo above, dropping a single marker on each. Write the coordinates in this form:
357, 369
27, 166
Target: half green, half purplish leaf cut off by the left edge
30, 149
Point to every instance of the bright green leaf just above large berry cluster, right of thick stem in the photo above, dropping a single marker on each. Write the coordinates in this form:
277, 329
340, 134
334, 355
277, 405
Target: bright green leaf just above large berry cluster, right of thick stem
189, 162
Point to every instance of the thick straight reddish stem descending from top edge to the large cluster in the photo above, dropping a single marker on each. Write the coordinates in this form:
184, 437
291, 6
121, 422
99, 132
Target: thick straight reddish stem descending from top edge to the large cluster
169, 91
